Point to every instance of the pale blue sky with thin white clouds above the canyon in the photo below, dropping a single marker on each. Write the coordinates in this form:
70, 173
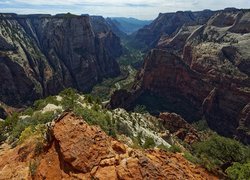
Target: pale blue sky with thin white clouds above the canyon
141, 9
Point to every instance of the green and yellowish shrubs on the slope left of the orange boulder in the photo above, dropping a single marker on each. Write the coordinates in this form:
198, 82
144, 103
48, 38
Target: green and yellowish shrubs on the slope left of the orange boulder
21, 125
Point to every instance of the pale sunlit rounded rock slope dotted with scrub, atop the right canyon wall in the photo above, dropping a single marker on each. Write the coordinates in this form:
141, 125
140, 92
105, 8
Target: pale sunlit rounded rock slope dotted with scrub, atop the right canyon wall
215, 50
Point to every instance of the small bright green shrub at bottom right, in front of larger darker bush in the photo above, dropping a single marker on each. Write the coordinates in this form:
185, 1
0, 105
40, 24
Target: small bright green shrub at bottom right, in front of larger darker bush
239, 171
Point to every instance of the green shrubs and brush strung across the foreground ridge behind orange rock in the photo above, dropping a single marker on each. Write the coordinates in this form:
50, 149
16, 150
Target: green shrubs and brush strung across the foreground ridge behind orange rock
218, 154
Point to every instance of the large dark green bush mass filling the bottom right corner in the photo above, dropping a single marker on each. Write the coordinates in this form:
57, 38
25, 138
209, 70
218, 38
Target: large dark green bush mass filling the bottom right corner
222, 155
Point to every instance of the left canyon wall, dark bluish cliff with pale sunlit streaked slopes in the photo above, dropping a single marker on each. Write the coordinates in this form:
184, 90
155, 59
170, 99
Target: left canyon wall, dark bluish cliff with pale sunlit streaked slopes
42, 54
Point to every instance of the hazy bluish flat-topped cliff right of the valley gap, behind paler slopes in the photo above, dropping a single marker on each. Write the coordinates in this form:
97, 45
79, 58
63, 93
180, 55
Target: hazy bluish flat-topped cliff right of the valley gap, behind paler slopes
167, 24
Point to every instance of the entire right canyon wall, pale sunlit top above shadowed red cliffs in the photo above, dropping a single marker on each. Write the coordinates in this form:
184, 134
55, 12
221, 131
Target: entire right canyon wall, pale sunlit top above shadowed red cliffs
205, 75
